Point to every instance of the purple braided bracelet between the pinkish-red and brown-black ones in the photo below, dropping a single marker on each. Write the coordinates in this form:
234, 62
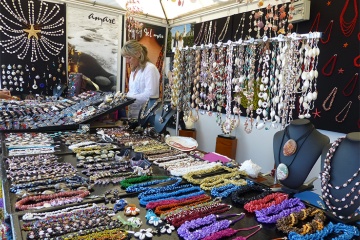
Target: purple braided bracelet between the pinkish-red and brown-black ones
275, 212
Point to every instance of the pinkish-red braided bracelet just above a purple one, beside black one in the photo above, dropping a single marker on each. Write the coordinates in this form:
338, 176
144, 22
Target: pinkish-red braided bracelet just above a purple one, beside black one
267, 201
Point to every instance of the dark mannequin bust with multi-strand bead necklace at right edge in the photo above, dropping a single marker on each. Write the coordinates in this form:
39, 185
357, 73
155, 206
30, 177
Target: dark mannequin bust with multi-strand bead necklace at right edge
343, 167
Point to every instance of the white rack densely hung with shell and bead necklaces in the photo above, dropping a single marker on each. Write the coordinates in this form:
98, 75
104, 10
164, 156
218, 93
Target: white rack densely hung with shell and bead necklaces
267, 66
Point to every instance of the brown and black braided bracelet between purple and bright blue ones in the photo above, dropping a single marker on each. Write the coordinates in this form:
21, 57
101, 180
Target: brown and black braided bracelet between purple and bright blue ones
287, 224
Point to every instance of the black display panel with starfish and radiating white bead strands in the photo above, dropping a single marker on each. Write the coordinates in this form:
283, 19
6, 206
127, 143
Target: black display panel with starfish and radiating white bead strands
33, 47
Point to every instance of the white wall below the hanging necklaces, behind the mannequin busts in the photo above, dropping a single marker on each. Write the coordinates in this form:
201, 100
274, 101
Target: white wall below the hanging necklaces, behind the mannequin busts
257, 145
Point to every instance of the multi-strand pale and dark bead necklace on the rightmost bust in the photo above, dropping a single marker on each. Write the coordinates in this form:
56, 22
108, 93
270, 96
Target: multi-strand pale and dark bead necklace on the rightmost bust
326, 184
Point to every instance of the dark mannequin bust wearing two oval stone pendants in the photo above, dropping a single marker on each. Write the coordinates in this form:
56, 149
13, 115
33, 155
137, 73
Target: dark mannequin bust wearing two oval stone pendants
299, 160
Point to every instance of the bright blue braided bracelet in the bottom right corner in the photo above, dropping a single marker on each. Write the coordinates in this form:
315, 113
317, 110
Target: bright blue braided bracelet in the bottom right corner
347, 233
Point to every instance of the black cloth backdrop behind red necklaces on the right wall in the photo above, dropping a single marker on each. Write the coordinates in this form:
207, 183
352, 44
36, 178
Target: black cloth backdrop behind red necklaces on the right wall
346, 48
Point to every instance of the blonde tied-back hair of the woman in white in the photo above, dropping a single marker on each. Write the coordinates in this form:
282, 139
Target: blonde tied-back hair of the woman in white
134, 48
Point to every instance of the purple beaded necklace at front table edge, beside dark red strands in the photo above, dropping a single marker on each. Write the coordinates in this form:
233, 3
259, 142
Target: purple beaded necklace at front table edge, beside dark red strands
202, 227
